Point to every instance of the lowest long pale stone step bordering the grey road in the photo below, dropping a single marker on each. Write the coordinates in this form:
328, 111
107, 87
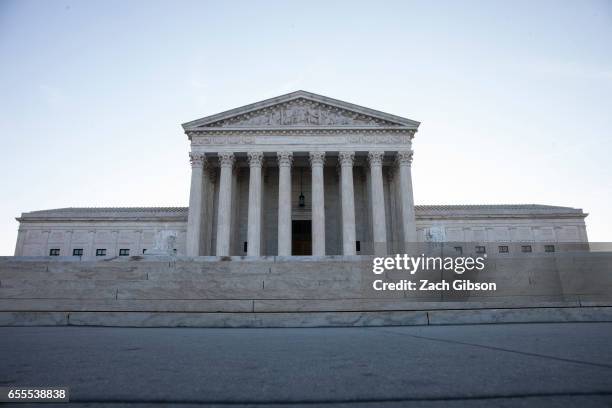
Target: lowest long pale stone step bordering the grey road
308, 319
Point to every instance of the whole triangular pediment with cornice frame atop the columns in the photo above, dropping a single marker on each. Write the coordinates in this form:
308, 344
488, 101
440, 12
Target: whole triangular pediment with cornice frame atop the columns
300, 109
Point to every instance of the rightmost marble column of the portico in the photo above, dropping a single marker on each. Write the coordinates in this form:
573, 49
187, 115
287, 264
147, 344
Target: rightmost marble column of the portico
409, 235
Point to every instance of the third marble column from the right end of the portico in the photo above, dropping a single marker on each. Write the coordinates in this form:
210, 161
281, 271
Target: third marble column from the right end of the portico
348, 202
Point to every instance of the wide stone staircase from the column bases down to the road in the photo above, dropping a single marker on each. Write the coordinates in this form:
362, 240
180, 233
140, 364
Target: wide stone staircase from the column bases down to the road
268, 292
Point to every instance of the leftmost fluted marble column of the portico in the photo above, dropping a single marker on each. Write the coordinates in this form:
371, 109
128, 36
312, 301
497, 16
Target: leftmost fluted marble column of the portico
194, 217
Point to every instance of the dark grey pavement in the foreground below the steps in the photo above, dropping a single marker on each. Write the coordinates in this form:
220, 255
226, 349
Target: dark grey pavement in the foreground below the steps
480, 365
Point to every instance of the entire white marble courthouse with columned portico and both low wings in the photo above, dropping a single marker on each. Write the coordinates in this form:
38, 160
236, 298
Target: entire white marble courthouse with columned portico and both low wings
299, 174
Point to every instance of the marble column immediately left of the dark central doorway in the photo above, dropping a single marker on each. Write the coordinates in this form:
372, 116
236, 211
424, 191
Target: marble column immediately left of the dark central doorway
285, 159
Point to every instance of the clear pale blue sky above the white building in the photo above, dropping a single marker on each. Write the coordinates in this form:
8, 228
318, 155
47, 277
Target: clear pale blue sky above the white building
515, 97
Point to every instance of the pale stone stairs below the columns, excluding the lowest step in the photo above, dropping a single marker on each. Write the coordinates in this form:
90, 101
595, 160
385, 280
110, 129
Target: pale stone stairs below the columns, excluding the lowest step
283, 284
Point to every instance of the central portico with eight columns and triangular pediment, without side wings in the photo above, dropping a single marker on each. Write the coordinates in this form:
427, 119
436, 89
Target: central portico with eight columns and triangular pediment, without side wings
301, 156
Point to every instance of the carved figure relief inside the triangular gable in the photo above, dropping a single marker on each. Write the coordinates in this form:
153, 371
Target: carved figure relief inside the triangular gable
301, 112
